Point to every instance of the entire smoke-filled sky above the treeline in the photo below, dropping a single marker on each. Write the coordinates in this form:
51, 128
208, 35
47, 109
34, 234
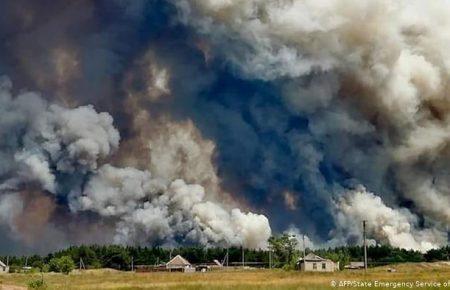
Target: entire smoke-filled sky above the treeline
219, 122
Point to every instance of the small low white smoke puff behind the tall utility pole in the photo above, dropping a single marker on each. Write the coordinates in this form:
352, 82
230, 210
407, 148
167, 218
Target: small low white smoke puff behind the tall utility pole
396, 226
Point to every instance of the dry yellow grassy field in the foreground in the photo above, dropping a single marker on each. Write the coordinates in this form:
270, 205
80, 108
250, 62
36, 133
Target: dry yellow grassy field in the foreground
235, 279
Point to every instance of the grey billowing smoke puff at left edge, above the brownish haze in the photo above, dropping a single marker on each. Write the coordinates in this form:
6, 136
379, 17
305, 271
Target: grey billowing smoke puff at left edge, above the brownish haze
39, 139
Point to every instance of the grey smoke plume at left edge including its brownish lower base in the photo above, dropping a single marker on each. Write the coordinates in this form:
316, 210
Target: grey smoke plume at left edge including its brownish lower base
45, 148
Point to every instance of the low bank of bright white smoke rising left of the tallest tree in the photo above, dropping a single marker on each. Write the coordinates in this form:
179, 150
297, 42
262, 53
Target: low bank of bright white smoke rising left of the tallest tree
151, 210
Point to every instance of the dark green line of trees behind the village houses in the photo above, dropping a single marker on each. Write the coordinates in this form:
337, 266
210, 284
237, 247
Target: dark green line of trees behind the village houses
282, 252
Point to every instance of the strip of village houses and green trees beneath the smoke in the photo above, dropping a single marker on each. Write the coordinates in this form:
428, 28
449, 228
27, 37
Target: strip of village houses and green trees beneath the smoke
197, 259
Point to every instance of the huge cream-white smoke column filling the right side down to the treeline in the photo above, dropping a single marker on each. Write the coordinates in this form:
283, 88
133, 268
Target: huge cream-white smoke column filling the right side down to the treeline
371, 79
